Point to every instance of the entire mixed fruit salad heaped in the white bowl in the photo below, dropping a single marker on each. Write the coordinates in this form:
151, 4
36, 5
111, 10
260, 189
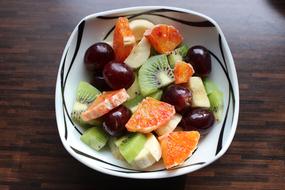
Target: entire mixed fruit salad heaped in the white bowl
150, 96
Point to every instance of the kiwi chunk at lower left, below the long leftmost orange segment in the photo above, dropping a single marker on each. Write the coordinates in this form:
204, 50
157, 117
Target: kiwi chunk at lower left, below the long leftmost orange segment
95, 137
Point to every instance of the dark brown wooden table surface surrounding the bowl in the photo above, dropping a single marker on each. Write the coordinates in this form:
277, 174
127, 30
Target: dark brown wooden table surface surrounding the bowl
32, 37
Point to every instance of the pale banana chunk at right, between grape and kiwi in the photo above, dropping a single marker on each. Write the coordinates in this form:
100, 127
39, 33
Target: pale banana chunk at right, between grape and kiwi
200, 98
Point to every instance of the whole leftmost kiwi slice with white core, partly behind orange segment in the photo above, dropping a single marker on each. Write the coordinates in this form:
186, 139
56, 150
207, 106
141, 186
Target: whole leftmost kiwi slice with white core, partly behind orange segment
85, 94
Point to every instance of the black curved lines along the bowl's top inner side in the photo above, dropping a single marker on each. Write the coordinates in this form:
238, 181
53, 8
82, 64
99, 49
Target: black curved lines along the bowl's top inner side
152, 12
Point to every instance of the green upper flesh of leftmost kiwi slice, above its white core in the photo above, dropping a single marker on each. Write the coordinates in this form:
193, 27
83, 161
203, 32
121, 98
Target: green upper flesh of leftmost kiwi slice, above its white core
86, 93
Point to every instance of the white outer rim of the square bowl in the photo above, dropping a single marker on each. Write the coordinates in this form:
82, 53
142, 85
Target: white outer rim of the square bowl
164, 174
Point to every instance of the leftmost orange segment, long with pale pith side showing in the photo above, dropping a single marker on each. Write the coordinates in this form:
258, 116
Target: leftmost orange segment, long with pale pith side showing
105, 103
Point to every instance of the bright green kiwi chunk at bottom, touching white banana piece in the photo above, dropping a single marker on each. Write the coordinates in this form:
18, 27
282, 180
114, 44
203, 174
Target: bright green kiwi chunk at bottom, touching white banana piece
132, 145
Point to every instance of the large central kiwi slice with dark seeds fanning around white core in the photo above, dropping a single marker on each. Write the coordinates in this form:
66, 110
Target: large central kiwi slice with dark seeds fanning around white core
154, 74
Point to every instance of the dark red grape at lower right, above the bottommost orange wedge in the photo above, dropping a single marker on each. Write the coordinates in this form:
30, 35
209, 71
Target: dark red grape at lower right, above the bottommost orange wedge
197, 119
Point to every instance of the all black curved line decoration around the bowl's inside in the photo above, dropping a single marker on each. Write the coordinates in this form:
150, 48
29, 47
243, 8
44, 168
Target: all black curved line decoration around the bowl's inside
63, 82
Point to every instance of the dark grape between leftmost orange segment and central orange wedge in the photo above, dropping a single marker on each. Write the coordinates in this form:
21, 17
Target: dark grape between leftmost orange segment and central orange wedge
115, 120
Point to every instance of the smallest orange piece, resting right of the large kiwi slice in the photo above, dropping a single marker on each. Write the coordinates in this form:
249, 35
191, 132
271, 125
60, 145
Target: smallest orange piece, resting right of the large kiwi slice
182, 72
